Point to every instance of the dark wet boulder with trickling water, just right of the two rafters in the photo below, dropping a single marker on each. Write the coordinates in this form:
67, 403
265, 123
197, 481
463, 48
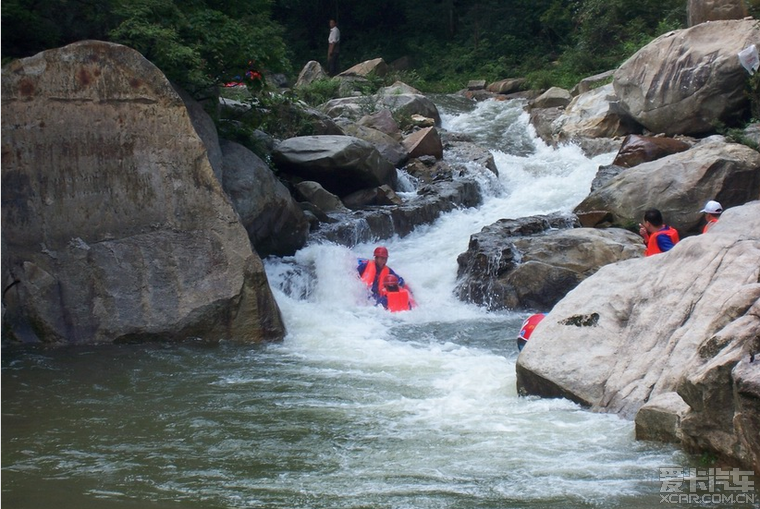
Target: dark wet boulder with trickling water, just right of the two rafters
531, 263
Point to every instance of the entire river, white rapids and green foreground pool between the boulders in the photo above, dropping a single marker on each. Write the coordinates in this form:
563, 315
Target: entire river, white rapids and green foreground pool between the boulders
356, 408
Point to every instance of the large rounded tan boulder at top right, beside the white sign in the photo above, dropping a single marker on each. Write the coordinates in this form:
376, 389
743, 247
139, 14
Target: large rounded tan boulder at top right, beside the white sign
685, 82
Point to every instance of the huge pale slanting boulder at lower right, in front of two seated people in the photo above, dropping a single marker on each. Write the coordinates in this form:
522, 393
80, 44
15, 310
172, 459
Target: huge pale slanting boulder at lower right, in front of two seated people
683, 324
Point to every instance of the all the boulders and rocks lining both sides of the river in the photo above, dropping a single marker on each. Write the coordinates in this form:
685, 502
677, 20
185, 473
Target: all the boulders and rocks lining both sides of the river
126, 218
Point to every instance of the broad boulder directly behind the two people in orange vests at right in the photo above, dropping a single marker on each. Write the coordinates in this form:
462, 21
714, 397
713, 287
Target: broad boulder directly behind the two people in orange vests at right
679, 184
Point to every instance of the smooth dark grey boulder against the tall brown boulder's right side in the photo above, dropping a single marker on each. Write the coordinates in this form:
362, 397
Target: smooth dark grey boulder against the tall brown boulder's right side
274, 221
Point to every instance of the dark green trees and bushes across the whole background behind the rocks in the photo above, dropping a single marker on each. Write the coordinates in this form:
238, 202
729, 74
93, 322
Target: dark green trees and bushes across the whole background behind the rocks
201, 44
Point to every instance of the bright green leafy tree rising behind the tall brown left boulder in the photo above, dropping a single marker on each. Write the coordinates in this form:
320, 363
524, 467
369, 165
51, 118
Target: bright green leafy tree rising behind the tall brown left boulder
200, 44
